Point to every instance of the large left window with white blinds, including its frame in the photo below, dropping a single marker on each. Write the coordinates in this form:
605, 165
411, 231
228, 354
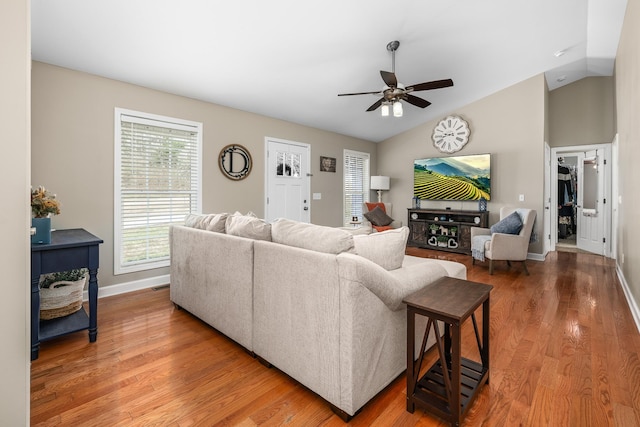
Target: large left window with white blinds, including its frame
157, 182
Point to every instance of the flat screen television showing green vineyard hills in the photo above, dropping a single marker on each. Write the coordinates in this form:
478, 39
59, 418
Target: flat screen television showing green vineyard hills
452, 178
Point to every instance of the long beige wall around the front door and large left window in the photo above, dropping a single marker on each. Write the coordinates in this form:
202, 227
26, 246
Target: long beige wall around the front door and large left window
73, 120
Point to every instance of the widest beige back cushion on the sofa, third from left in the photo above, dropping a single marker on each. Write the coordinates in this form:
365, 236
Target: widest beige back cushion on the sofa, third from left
310, 236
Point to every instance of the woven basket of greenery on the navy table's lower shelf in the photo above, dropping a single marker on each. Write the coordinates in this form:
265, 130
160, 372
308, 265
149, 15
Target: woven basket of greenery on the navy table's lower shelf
61, 293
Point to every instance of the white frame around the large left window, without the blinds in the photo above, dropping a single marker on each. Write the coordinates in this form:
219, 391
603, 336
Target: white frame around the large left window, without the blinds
196, 178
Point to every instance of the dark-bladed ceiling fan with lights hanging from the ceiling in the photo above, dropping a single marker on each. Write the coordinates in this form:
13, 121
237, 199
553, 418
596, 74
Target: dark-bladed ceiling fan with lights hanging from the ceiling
393, 92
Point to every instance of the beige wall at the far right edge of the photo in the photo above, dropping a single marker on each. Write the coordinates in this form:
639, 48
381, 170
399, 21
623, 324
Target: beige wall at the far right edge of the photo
628, 125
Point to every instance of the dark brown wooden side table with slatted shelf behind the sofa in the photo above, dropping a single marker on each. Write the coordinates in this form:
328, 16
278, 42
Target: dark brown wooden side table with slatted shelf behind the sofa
447, 392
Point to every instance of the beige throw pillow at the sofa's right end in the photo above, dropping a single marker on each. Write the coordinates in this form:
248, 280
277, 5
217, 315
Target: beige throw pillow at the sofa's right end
386, 249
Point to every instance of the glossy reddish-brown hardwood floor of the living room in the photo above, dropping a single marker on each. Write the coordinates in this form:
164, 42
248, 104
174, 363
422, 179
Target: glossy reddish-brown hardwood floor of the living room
564, 352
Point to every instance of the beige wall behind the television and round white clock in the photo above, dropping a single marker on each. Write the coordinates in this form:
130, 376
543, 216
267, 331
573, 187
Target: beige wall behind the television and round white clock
509, 125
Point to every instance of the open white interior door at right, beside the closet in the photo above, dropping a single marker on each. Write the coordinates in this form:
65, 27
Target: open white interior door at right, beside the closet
590, 205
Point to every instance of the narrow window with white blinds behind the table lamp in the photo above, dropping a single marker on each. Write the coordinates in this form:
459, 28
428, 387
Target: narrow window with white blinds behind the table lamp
356, 184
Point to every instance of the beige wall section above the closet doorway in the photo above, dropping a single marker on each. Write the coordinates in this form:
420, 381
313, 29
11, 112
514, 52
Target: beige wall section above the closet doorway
582, 113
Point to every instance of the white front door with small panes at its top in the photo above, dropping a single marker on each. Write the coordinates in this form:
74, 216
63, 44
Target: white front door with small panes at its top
287, 180
